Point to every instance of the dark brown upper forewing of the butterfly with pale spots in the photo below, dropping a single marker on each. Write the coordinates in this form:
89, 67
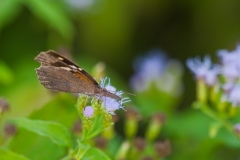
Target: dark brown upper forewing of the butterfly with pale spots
51, 58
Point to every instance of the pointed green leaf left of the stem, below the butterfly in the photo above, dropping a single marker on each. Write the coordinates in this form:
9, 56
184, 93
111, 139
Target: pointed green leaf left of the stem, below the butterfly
55, 131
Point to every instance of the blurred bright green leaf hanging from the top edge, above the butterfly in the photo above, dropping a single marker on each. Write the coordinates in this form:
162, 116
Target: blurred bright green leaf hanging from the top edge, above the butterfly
54, 15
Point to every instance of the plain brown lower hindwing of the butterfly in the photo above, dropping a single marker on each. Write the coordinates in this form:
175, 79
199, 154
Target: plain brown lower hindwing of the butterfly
56, 78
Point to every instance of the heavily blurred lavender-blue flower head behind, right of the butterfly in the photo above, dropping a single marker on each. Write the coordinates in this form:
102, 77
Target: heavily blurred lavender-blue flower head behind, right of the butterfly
155, 68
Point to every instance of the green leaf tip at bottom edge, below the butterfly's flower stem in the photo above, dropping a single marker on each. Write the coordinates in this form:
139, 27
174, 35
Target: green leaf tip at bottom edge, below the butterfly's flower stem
94, 153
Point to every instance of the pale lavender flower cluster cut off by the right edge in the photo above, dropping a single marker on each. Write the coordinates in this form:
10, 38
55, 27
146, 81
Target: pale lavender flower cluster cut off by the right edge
229, 69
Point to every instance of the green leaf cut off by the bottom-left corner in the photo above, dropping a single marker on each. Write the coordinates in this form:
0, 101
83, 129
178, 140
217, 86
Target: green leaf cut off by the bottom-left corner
8, 155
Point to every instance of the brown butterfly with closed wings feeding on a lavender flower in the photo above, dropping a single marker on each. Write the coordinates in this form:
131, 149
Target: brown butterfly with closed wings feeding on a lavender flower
59, 73
